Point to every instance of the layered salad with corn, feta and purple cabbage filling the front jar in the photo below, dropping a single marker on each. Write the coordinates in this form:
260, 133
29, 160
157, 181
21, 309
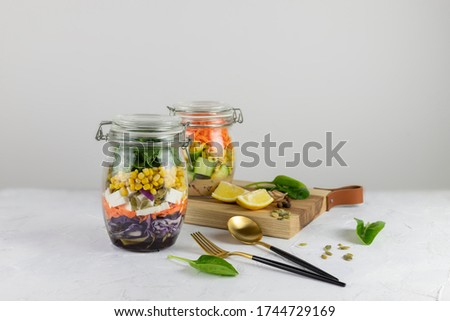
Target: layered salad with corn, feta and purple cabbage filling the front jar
144, 204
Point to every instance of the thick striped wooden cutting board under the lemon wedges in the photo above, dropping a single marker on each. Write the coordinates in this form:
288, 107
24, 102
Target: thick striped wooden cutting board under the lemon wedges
213, 213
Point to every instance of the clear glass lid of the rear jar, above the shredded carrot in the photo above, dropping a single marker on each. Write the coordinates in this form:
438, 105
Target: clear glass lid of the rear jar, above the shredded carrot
206, 113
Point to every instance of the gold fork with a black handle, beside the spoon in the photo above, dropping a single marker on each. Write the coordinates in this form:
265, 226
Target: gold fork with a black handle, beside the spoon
212, 249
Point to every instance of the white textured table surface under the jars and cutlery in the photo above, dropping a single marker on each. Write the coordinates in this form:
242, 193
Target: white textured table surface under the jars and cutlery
54, 246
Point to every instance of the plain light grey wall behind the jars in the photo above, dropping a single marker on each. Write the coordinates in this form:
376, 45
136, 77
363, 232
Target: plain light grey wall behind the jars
375, 73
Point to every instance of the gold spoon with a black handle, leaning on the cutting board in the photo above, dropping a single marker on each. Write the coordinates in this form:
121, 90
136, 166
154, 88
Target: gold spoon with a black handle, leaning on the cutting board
248, 231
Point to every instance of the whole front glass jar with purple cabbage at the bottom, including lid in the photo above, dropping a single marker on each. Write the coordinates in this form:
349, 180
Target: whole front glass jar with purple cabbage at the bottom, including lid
145, 181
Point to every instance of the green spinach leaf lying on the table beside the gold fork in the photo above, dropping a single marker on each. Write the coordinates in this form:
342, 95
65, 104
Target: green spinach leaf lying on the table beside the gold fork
210, 264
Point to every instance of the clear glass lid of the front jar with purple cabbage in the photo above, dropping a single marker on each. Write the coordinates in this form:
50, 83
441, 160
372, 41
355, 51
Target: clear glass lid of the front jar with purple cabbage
141, 126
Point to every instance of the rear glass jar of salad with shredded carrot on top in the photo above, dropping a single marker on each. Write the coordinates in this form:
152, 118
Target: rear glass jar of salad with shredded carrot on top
211, 152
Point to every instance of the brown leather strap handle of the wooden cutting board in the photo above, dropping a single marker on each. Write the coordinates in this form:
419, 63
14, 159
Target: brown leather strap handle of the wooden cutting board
346, 195
